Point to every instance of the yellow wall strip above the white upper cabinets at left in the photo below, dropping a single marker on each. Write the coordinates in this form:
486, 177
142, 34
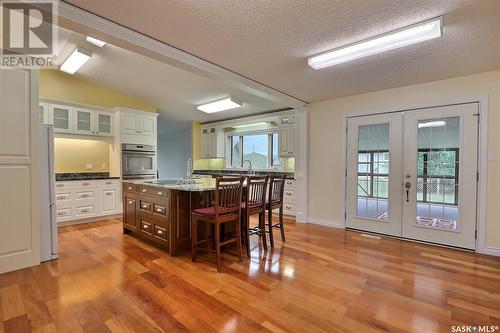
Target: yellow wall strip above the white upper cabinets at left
55, 84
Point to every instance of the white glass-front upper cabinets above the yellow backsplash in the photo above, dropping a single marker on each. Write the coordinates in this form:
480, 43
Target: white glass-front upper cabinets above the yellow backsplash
77, 120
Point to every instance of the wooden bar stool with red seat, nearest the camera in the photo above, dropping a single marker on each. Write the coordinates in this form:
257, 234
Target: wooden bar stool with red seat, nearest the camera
227, 209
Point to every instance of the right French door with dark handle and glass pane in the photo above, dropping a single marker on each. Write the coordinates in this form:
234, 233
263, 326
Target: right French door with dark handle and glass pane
440, 175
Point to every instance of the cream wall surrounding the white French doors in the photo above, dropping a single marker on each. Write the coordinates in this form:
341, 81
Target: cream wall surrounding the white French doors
326, 139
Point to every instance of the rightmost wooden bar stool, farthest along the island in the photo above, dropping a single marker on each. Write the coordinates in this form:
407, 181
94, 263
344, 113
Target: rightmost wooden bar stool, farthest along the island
275, 201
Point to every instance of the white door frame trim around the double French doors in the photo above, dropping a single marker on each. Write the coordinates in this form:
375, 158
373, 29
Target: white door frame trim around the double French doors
482, 153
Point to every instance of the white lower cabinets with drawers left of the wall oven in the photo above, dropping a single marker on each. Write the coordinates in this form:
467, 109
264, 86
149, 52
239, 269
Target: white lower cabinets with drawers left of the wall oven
77, 200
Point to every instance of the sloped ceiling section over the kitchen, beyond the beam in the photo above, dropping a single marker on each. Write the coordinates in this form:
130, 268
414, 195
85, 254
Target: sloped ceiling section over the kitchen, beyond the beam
174, 91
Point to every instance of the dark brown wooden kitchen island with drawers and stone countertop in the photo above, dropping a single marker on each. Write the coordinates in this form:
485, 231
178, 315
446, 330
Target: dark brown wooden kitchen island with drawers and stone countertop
160, 211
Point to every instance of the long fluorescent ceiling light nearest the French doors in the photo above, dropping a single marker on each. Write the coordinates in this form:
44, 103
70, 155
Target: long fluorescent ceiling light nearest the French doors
392, 40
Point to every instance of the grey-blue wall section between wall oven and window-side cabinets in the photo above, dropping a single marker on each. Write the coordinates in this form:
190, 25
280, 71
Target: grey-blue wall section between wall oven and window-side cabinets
174, 149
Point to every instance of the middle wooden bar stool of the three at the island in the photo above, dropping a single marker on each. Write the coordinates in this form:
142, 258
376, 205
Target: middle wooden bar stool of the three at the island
254, 204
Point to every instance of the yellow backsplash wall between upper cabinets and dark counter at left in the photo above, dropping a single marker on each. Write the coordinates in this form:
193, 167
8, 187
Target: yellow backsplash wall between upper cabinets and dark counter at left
72, 155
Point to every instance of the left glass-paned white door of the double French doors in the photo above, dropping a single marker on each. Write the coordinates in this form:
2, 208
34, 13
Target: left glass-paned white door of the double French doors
374, 166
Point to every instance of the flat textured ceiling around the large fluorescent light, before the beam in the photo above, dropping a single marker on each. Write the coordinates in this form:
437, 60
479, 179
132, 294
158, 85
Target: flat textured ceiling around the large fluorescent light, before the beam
269, 41
